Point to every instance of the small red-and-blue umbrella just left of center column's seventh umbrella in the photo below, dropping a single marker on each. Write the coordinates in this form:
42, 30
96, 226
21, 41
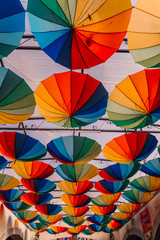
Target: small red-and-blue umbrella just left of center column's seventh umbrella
48, 209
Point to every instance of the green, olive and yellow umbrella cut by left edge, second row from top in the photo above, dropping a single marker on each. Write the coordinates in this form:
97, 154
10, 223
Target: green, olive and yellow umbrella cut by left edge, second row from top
17, 101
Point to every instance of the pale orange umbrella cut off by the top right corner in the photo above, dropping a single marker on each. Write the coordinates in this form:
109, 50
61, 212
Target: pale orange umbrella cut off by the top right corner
143, 33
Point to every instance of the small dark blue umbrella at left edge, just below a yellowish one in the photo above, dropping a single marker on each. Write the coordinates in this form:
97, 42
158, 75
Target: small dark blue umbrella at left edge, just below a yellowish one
10, 196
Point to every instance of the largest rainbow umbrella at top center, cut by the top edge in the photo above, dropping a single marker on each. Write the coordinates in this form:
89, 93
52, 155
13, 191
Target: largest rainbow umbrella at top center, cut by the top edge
79, 35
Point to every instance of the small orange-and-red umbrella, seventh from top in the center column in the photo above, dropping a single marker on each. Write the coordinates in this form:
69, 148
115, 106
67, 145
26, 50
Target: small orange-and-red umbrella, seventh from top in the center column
75, 212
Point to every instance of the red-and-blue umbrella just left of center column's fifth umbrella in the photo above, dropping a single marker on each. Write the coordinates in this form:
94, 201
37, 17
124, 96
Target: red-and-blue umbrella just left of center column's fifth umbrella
38, 186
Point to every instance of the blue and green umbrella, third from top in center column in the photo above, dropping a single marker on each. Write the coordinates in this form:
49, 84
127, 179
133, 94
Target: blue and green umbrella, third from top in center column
74, 150
